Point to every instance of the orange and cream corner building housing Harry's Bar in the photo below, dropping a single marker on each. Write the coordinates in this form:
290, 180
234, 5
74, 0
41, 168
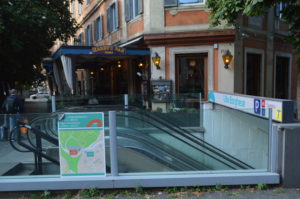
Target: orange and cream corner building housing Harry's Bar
190, 51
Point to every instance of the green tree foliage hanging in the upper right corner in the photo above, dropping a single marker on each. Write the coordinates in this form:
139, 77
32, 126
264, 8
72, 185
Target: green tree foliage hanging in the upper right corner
230, 10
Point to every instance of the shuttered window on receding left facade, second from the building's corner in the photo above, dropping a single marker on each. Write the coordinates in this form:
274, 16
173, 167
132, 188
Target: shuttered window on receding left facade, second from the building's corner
112, 17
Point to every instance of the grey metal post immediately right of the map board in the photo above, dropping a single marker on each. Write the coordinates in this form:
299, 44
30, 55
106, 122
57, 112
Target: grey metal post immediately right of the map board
113, 143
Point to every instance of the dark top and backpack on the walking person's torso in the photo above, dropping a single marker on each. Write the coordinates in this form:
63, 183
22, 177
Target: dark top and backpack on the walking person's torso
12, 105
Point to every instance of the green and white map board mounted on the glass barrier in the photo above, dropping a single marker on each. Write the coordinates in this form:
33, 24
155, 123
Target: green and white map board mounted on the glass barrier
81, 144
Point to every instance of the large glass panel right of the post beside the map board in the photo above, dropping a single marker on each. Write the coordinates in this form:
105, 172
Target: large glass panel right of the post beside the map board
162, 145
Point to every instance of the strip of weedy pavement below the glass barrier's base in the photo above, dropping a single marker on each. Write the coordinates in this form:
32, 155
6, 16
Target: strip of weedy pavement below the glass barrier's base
274, 193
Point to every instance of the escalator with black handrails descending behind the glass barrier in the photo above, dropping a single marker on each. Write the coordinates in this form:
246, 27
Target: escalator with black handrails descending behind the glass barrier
146, 143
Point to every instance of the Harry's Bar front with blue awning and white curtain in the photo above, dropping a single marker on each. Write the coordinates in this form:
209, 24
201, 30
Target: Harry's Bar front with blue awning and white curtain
105, 70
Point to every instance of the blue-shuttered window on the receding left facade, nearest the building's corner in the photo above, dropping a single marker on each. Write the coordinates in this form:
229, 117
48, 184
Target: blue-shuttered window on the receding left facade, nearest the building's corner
132, 9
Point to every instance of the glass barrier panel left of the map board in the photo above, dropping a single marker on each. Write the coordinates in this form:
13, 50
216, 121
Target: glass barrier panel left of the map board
16, 154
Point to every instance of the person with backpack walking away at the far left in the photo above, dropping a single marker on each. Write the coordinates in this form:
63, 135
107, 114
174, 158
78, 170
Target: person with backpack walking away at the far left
13, 106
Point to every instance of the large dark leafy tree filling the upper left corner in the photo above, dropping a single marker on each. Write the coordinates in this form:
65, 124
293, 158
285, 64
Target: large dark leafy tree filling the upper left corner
28, 29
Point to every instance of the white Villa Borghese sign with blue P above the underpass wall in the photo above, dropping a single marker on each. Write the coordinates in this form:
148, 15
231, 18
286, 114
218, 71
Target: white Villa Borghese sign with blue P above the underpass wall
282, 110
